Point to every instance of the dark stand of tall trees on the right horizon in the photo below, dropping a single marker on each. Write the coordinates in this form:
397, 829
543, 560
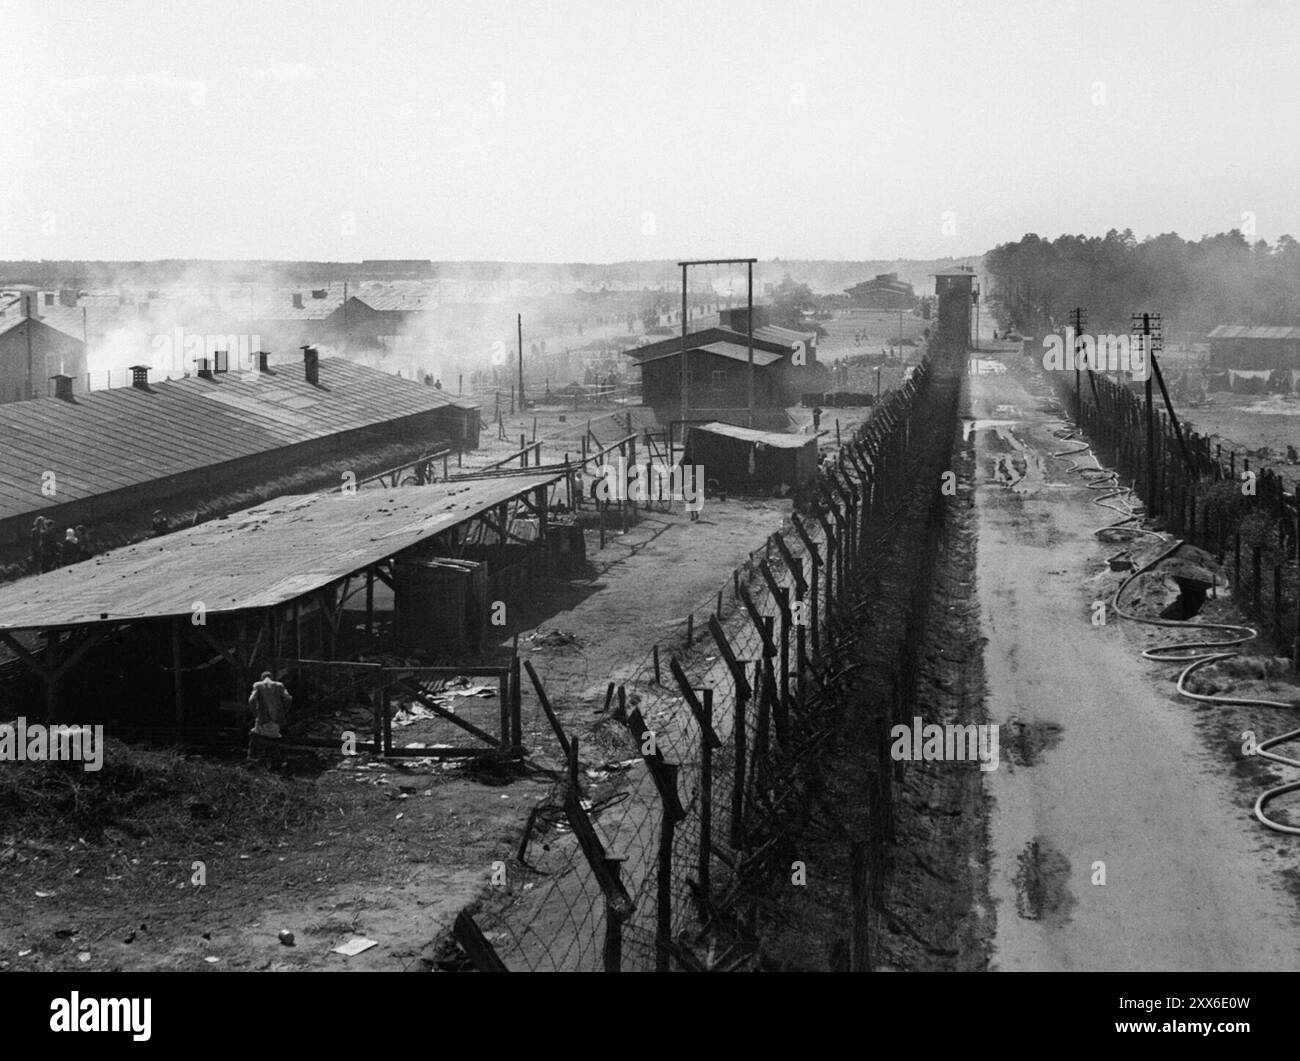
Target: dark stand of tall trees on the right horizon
1193, 285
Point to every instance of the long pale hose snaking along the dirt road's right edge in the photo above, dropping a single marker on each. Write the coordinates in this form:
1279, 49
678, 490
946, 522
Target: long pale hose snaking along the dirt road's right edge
1195, 655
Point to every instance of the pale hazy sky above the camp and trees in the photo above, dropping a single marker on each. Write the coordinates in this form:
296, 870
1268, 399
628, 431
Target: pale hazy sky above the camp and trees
597, 131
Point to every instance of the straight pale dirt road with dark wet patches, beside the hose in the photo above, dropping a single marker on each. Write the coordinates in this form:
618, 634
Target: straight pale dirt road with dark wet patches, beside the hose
1102, 763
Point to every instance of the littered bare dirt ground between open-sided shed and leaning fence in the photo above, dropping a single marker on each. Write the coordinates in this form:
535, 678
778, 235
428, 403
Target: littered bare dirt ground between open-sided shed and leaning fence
397, 850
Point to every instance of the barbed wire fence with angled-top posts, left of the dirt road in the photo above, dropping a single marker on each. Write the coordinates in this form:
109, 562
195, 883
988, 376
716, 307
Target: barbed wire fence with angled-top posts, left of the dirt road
729, 718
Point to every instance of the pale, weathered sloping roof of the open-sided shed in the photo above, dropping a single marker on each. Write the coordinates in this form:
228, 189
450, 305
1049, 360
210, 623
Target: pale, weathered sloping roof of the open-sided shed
258, 558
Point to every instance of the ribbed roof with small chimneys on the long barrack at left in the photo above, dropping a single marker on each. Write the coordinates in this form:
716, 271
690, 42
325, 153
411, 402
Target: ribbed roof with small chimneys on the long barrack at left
110, 440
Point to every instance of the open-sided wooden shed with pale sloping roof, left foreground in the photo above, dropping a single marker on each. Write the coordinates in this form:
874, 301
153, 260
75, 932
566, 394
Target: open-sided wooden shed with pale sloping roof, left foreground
188, 620
